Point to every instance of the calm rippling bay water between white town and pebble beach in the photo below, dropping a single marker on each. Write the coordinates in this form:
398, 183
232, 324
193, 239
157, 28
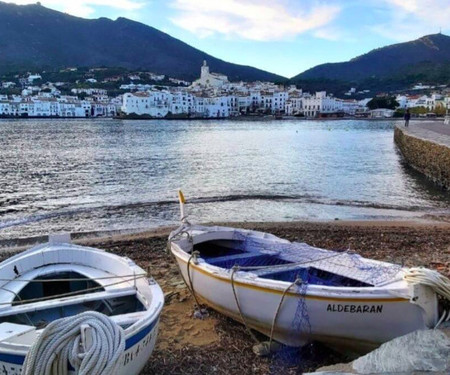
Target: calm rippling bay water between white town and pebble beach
94, 175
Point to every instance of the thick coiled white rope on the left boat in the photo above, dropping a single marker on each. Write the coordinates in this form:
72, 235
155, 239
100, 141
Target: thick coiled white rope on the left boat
63, 342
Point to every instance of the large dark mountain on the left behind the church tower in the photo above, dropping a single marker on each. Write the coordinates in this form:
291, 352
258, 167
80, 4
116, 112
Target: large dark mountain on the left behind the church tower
33, 37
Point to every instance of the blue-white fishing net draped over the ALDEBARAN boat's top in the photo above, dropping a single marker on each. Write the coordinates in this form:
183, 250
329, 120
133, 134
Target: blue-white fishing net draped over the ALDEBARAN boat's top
284, 261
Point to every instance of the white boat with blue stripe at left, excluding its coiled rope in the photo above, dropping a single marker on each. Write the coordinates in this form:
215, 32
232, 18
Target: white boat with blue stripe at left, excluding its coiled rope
60, 280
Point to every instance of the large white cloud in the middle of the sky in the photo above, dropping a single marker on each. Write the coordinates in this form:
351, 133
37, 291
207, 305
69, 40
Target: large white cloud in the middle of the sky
260, 20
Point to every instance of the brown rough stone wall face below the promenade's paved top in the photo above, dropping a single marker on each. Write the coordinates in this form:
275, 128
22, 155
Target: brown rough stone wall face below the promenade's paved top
429, 158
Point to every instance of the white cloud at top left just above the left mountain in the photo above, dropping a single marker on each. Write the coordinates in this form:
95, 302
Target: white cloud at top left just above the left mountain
86, 8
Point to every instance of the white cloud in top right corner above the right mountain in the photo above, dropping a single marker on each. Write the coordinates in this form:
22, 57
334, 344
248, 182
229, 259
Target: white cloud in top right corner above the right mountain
410, 19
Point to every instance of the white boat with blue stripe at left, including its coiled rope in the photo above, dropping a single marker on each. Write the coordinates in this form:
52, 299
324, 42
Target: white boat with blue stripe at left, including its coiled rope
71, 309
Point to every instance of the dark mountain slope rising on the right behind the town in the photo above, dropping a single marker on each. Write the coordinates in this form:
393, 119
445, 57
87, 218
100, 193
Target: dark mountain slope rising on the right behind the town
397, 63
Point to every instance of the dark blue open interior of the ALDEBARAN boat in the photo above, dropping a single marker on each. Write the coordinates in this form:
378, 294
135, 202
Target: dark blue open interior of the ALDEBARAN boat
228, 253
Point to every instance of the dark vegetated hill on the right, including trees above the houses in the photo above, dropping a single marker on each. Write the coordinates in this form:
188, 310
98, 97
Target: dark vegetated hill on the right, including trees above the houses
396, 67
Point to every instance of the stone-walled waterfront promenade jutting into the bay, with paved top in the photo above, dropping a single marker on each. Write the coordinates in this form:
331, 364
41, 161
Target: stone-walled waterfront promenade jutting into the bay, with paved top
425, 146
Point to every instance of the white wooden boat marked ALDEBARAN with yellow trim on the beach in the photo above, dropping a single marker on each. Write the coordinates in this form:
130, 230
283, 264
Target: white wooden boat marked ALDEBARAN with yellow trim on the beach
295, 293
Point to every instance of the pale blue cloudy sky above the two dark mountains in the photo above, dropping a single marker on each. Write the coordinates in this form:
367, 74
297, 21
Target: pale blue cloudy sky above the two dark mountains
285, 37
